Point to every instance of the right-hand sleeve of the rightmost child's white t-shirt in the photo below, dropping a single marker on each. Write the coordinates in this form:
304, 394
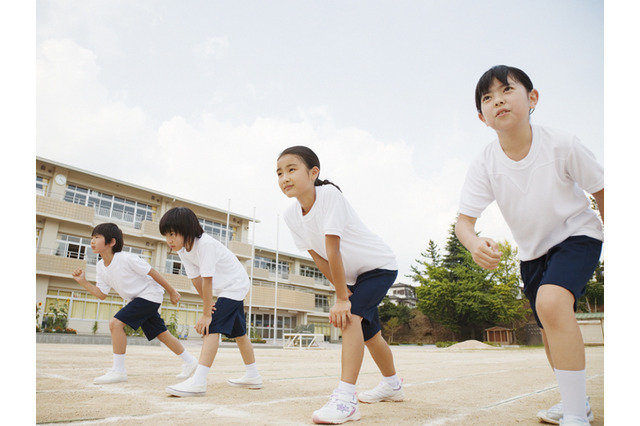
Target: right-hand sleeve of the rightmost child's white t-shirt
583, 168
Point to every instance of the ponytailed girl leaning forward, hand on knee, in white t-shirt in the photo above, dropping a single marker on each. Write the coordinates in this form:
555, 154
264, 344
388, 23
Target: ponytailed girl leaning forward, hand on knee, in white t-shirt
360, 266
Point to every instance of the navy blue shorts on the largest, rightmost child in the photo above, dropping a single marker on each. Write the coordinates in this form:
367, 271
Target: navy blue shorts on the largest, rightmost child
569, 265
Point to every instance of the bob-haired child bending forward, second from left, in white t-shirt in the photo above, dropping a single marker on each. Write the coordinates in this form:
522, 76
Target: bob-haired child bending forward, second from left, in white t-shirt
214, 271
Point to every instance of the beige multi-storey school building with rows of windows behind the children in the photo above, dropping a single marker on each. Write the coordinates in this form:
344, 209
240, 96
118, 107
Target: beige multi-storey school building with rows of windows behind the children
71, 201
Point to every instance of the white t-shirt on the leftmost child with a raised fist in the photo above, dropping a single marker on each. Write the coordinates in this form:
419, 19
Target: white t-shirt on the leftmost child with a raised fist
128, 275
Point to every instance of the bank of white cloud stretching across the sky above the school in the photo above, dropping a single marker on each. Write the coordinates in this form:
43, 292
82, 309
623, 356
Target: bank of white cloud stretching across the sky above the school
405, 199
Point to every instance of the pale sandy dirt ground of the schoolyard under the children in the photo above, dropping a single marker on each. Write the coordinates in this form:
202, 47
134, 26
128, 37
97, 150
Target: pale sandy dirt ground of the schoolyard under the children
443, 386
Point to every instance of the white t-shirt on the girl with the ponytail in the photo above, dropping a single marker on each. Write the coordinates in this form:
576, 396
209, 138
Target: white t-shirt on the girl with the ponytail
331, 214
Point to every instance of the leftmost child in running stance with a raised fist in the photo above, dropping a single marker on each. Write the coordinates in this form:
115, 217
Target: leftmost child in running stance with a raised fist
142, 287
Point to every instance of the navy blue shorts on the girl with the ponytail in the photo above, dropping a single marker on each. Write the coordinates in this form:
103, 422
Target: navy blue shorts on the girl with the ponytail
368, 291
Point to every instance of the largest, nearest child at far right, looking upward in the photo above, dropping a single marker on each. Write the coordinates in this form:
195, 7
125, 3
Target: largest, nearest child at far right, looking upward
538, 177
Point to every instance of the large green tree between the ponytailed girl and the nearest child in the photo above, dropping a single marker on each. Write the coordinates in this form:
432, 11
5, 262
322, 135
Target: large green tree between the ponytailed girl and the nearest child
464, 297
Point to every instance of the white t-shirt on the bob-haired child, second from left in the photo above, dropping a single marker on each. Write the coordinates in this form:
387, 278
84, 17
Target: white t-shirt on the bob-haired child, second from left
209, 258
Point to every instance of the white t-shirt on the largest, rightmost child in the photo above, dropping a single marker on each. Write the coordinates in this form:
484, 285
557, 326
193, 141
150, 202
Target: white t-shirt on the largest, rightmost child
541, 196
